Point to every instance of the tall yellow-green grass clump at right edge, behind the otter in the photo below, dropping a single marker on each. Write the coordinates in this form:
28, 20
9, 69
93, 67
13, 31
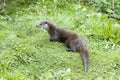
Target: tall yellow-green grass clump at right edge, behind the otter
106, 29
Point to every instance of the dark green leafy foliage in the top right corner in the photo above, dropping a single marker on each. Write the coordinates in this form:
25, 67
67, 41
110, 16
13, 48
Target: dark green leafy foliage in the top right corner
111, 7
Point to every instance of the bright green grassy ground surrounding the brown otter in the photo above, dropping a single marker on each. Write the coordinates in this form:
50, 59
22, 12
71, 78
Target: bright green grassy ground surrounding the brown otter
25, 54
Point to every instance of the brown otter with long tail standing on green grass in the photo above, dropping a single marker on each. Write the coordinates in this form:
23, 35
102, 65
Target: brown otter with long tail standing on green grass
72, 40
